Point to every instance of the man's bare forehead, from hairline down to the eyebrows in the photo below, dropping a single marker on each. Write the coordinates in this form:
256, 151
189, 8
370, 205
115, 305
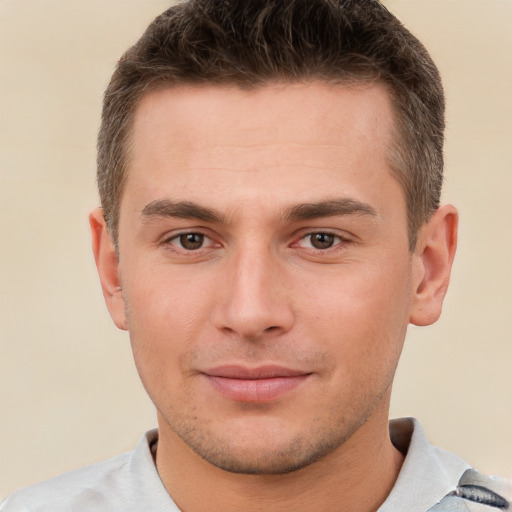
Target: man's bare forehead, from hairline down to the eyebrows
284, 139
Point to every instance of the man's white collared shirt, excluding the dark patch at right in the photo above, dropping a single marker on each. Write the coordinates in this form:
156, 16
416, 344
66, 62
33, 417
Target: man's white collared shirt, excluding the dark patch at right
130, 482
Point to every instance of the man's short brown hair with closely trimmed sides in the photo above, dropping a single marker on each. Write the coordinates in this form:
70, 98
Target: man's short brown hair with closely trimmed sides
251, 42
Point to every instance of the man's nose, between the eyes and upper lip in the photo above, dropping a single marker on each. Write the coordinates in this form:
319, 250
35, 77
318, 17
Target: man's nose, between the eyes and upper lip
255, 301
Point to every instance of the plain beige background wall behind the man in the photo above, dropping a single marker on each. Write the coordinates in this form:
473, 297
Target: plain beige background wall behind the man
69, 394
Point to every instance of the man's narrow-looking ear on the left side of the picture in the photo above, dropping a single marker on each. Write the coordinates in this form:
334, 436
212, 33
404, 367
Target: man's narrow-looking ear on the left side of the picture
107, 264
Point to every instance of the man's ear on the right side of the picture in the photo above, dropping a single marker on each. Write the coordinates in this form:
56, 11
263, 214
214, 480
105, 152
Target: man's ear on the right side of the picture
432, 264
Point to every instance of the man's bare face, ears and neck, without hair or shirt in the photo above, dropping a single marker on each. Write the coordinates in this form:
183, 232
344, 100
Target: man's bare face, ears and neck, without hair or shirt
265, 278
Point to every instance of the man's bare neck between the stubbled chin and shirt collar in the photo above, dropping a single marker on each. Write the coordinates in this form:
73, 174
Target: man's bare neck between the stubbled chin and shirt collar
358, 476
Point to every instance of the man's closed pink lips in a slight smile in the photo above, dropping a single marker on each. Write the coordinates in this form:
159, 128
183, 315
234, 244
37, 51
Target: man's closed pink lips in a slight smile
255, 385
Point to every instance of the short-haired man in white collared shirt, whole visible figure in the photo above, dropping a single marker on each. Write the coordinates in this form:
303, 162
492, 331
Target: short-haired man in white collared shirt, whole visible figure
270, 174
